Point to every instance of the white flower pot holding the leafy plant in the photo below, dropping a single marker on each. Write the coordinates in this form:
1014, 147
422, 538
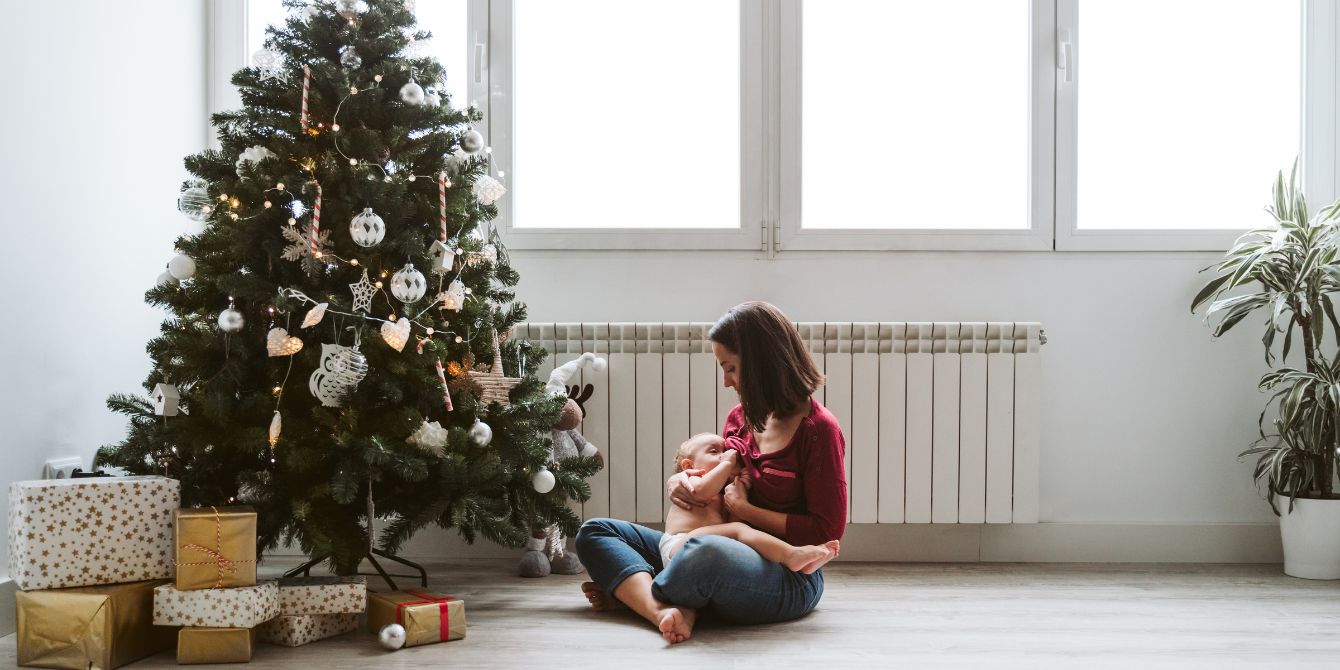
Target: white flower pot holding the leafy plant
1311, 538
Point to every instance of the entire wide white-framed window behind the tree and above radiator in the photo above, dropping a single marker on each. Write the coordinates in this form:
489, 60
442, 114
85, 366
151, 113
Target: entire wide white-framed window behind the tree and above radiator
791, 125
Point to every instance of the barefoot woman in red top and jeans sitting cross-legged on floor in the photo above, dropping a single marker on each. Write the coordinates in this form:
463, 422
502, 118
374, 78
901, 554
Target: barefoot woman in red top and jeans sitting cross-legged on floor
797, 490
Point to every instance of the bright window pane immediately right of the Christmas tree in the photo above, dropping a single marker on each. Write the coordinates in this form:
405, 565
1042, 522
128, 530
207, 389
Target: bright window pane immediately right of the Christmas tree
626, 115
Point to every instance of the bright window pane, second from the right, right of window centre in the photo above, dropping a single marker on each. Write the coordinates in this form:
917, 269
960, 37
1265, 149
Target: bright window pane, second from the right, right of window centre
916, 115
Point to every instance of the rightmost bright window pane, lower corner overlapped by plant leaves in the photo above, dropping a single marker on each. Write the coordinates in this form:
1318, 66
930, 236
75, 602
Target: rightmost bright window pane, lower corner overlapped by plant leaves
1187, 111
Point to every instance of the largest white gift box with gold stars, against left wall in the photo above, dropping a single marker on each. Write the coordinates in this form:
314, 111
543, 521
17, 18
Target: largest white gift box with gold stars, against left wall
92, 531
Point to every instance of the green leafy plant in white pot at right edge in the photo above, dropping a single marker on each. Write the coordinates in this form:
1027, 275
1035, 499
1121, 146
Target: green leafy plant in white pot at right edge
1294, 262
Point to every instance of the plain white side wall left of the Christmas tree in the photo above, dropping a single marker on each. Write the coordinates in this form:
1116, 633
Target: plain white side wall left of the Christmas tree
103, 103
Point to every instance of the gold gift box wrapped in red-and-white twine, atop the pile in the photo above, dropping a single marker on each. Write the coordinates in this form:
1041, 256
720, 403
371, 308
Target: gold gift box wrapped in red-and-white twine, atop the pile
216, 547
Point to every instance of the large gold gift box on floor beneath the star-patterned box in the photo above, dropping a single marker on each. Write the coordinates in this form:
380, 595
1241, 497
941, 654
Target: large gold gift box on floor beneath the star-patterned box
103, 628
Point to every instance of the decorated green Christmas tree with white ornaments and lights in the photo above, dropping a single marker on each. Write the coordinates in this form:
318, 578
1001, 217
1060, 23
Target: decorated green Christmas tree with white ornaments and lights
340, 316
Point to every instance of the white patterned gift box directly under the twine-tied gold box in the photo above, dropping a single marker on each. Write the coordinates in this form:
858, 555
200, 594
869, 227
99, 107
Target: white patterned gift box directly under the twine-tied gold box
241, 608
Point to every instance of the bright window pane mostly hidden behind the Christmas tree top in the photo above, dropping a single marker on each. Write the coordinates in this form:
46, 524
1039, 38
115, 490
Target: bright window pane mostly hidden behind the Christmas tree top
446, 19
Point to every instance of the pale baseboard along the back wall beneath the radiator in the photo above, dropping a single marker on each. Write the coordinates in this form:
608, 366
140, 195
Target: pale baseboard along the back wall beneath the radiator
1008, 543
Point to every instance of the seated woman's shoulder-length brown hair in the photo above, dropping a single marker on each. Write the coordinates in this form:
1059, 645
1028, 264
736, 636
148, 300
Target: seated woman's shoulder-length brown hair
777, 373
